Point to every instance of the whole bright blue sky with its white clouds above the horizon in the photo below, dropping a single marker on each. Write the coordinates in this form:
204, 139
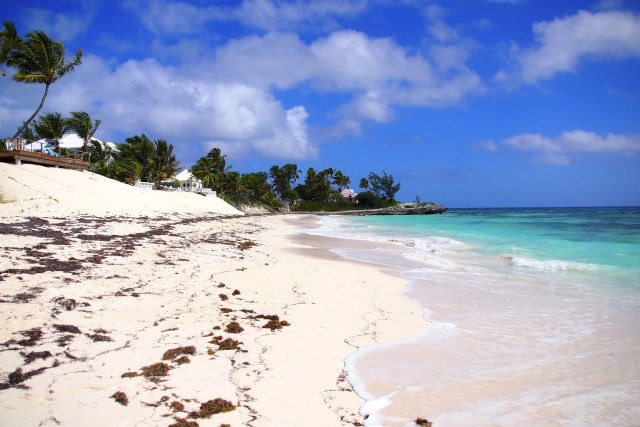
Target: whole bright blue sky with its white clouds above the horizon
470, 103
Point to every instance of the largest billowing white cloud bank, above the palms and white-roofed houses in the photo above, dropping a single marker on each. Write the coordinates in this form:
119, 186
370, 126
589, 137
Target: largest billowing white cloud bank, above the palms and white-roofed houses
186, 91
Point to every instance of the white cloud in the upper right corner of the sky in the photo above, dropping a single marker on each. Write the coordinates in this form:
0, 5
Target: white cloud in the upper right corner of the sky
563, 43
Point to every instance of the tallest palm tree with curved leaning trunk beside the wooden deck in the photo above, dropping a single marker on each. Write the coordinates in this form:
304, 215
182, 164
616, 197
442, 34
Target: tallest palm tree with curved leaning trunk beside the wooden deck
38, 59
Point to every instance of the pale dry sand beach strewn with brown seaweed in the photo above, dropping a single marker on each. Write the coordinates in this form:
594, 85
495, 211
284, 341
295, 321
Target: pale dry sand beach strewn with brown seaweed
151, 280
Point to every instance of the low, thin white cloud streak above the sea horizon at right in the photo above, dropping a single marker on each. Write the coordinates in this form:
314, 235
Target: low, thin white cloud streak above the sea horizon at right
563, 150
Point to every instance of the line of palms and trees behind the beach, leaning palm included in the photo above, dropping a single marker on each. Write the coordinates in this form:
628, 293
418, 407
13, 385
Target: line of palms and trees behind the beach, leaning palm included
37, 59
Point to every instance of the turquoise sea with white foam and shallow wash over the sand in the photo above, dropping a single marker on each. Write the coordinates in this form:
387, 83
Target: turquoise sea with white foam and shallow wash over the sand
532, 317
